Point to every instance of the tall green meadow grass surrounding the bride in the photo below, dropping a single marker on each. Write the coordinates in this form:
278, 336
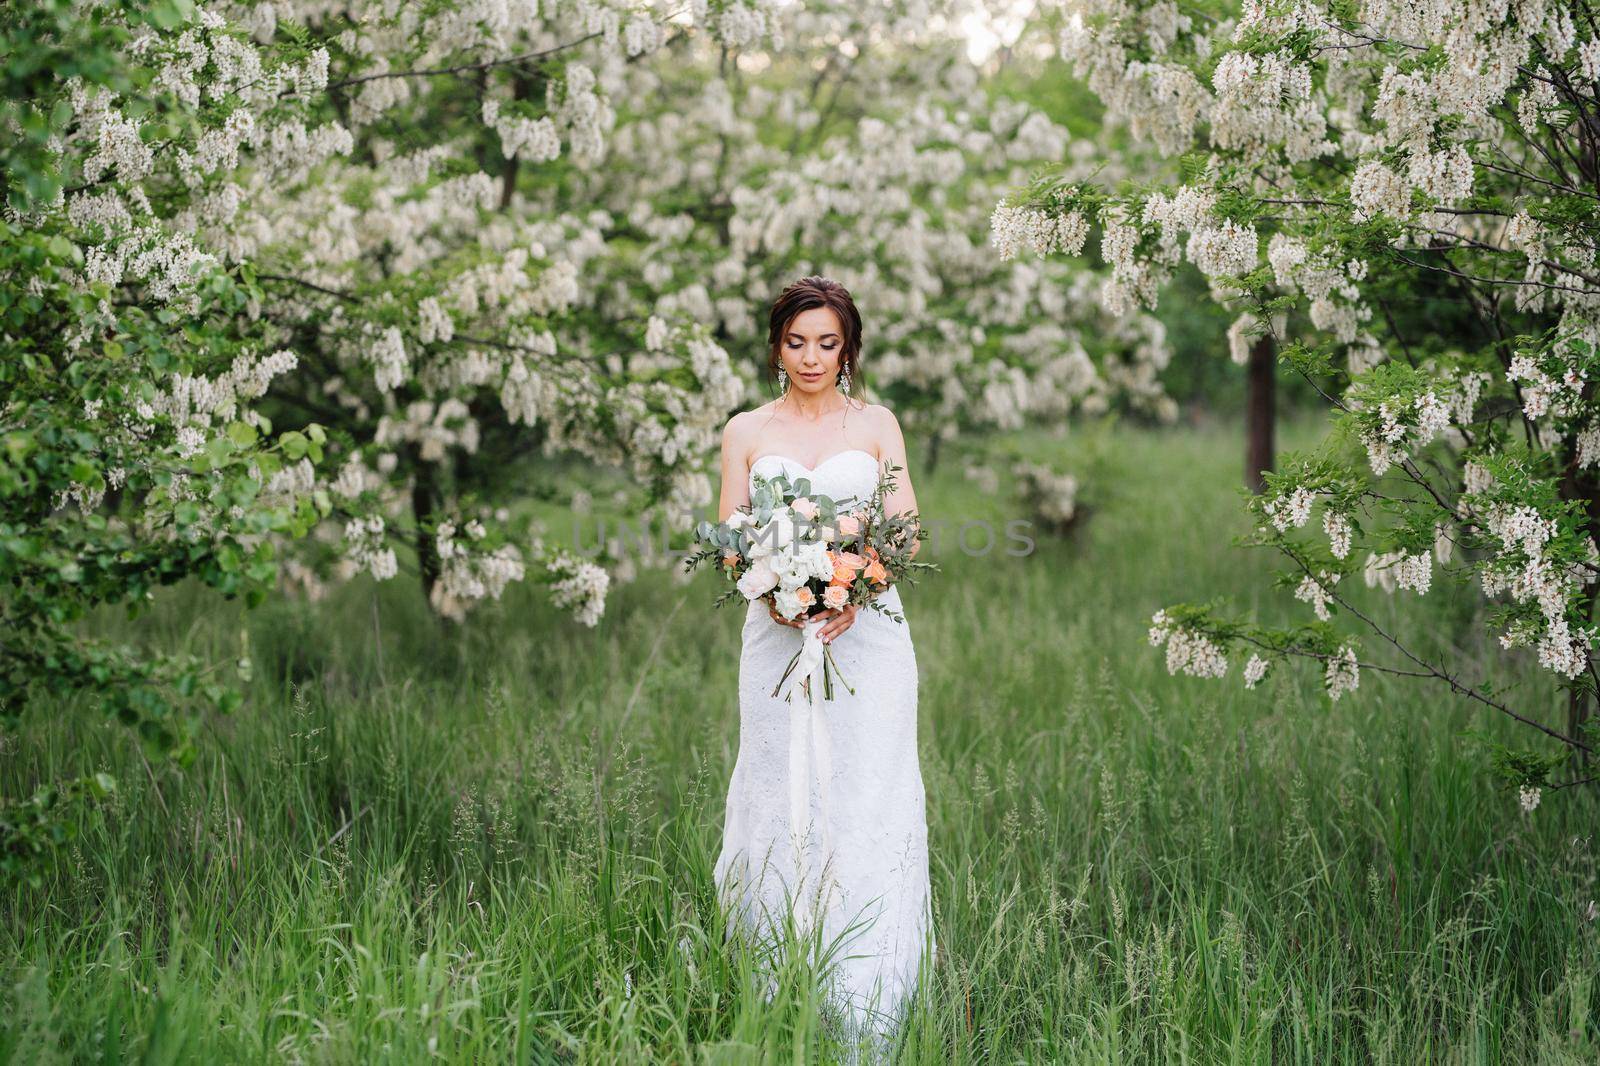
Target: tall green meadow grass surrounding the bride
497, 844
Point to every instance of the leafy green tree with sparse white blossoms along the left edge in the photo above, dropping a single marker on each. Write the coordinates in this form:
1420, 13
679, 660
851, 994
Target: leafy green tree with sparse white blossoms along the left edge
132, 452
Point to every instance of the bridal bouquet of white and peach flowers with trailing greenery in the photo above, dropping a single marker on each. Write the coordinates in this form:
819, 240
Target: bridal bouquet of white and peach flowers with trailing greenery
806, 553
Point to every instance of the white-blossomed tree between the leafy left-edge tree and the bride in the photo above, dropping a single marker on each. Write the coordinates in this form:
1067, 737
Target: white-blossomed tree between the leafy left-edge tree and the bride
423, 238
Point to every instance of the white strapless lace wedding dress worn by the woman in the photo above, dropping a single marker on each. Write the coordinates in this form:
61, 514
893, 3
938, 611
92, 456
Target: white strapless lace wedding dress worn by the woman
863, 793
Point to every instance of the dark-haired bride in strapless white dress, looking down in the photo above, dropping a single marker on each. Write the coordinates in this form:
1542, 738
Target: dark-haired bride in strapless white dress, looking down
863, 798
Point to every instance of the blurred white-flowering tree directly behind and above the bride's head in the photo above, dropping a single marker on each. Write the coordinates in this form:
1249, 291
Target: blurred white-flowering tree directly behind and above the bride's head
878, 169
